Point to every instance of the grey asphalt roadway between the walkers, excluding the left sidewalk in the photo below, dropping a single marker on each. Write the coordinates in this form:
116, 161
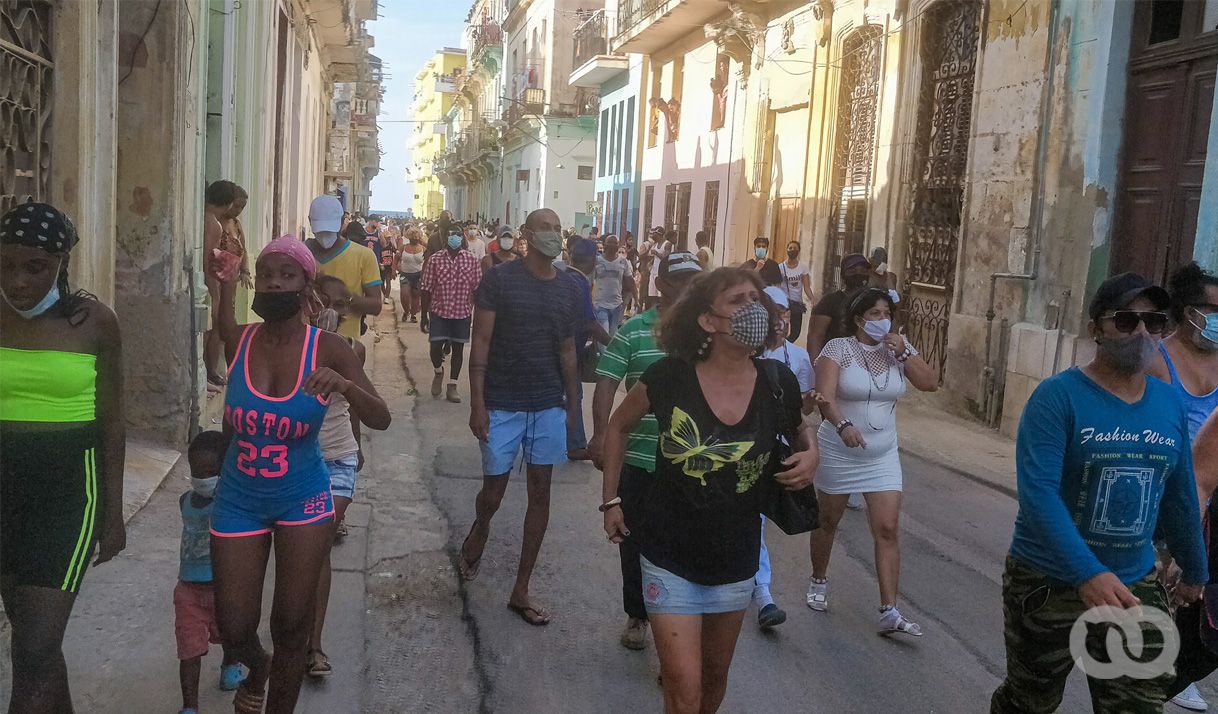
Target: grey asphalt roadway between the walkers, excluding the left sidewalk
956, 534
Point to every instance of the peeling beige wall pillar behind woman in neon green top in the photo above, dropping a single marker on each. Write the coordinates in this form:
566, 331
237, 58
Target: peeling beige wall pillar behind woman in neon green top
158, 225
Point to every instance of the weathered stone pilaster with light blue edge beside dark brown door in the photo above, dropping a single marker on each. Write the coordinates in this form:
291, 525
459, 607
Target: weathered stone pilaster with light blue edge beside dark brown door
1081, 165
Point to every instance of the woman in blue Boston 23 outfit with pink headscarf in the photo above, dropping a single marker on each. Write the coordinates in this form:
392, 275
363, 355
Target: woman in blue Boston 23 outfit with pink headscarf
275, 486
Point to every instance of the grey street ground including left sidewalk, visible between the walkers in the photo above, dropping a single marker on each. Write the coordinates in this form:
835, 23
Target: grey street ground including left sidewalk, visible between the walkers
406, 635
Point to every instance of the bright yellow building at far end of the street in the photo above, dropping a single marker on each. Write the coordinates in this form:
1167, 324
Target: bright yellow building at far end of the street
435, 88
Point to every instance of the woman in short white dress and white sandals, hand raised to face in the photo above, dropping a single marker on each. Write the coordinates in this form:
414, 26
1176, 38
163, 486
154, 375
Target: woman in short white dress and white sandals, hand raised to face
863, 377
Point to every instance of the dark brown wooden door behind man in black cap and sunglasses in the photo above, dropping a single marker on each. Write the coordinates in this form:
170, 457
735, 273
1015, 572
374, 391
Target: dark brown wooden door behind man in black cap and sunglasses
1169, 105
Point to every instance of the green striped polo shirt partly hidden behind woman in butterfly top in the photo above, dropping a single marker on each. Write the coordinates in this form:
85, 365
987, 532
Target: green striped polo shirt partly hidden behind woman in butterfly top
632, 352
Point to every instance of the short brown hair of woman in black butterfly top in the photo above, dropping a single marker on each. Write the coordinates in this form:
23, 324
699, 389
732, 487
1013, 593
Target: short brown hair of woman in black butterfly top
679, 333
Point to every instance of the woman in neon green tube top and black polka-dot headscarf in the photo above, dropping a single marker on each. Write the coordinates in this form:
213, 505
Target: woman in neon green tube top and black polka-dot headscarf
63, 447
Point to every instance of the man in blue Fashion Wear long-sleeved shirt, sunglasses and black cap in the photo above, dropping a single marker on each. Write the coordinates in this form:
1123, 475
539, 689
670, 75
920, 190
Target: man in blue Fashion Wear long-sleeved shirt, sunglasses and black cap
1103, 456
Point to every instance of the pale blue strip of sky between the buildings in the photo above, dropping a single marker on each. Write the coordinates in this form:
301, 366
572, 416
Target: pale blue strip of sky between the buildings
407, 32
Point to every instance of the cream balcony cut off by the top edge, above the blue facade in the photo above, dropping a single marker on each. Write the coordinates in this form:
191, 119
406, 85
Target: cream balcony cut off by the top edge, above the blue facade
646, 26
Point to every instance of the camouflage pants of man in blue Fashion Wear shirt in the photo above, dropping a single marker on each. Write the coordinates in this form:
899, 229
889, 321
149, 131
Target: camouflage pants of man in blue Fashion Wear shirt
1038, 616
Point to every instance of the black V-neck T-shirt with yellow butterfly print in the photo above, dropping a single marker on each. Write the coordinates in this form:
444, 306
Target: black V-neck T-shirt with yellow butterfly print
701, 520
